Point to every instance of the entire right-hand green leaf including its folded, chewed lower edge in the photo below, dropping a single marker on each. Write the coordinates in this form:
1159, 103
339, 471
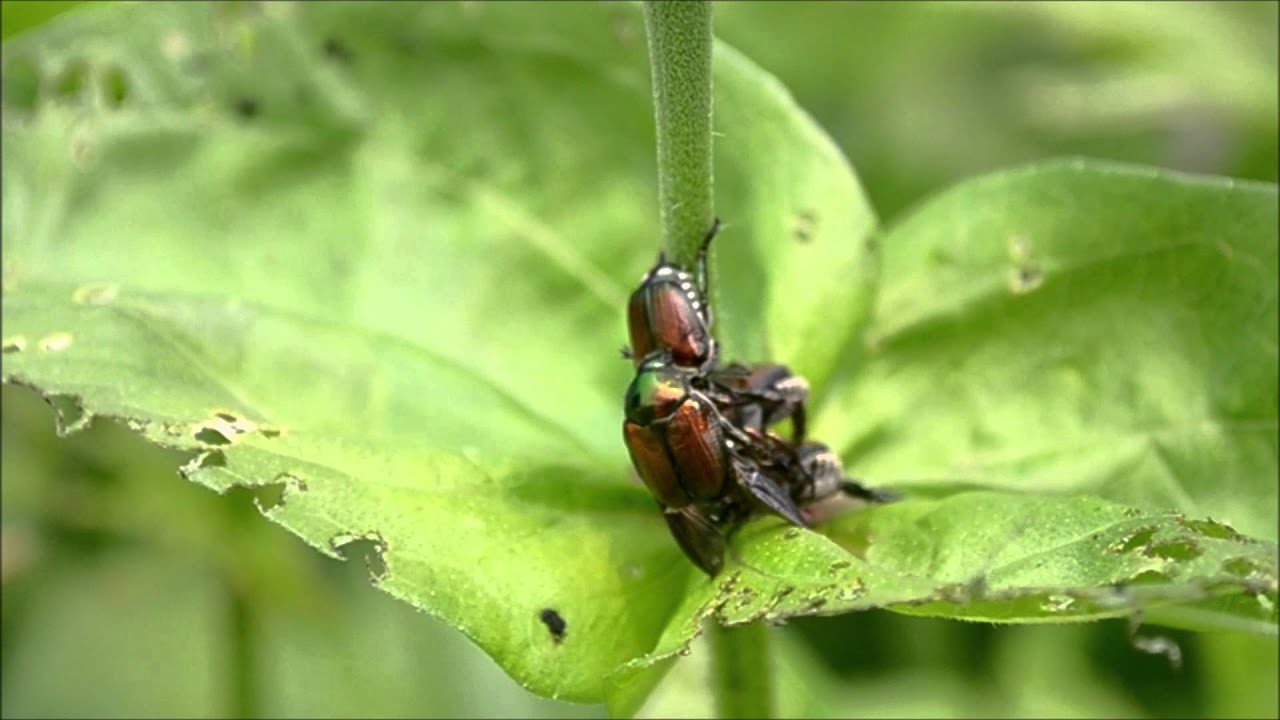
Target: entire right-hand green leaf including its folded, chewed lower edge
1057, 331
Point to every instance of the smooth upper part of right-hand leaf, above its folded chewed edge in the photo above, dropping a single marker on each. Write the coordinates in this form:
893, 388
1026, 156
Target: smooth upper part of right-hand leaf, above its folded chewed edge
1077, 327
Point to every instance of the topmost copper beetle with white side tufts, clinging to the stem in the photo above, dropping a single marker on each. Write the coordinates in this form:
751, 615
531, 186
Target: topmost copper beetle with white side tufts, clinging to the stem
670, 313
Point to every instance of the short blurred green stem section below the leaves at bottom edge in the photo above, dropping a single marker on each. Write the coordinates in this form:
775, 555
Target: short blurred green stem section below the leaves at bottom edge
742, 671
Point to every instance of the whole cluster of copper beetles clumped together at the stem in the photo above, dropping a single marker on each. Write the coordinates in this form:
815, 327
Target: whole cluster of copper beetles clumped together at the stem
698, 432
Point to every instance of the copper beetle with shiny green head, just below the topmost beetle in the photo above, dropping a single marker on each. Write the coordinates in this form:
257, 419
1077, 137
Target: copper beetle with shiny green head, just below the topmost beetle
694, 461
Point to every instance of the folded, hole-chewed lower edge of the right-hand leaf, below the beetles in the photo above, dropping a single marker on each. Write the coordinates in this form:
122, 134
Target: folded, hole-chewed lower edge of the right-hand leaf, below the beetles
999, 558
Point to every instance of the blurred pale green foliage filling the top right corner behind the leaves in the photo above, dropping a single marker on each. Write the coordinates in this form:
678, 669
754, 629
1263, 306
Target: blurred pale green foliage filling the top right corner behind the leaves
921, 95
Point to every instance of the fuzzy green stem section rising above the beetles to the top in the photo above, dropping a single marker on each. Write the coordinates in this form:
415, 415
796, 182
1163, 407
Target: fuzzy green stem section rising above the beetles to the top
680, 62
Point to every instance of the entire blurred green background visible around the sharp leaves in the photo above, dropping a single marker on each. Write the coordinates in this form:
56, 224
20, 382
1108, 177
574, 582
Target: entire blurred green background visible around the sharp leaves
129, 591
